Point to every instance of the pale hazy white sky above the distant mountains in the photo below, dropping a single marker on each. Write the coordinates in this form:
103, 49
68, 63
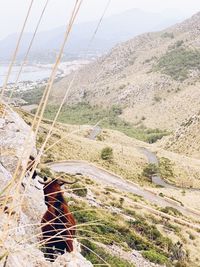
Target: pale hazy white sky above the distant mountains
12, 12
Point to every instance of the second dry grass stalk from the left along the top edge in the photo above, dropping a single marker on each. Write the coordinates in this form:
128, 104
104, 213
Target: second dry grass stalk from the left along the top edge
28, 50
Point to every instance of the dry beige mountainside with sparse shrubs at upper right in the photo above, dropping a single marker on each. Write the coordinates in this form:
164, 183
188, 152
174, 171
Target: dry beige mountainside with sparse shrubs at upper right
153, 77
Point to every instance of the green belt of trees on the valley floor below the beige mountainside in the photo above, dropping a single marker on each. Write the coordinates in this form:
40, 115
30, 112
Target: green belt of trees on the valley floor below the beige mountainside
83, 113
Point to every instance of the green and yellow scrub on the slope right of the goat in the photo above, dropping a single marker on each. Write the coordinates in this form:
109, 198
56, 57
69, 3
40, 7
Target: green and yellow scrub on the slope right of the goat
99, 226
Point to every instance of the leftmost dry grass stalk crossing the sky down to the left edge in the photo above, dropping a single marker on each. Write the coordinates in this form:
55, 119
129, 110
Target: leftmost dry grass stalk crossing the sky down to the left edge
16, 50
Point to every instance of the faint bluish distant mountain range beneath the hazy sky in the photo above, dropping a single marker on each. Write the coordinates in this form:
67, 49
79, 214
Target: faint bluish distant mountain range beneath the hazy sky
114, 29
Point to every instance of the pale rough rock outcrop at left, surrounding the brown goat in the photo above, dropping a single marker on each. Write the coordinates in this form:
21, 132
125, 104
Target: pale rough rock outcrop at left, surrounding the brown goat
20, 232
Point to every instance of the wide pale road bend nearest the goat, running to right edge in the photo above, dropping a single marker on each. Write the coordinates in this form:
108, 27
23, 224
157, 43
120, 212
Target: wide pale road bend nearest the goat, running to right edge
110, 179
